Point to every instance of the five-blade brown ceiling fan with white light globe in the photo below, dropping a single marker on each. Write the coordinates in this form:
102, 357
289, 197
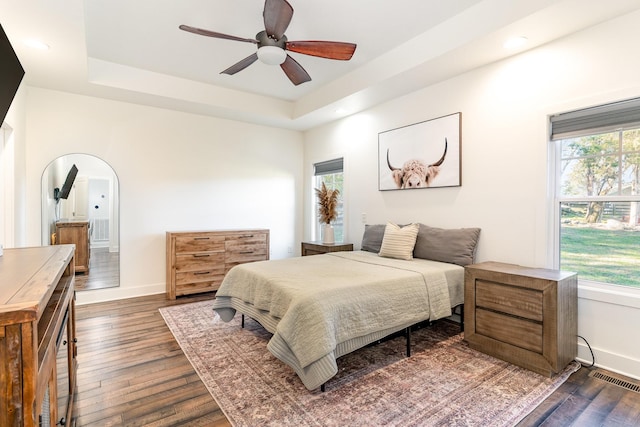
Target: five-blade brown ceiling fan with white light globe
273, 44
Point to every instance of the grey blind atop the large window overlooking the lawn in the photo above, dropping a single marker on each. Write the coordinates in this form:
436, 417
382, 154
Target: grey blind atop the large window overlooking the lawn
594, 120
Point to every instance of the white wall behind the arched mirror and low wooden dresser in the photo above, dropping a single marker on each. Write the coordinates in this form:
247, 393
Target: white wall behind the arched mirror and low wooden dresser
177, 172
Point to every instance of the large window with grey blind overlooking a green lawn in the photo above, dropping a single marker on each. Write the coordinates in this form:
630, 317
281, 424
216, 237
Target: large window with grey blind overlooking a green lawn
597, 192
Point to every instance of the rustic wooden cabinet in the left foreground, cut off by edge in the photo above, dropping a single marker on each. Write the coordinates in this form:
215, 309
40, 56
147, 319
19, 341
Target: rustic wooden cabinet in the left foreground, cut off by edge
37, 336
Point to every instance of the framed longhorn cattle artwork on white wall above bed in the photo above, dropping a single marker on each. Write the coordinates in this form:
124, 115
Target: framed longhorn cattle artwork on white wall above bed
421, 155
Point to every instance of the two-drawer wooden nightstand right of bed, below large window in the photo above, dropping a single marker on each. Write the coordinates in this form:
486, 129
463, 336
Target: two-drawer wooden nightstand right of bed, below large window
526, 316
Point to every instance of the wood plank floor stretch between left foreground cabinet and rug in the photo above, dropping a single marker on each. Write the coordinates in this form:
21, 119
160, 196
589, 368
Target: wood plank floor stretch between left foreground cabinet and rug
132, 372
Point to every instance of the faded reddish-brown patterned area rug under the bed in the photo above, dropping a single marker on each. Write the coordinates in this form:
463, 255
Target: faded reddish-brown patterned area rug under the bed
443, 383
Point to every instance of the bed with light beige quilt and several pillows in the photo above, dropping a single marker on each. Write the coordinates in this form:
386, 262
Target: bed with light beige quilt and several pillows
321, 307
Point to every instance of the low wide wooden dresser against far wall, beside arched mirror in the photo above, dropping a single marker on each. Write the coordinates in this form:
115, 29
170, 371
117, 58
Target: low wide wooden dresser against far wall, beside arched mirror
197, 261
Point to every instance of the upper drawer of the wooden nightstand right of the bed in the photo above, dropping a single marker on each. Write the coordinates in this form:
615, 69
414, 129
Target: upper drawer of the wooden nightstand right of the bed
512, 300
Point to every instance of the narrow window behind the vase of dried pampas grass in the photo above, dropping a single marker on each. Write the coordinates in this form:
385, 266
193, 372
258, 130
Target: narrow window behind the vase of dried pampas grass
331, 173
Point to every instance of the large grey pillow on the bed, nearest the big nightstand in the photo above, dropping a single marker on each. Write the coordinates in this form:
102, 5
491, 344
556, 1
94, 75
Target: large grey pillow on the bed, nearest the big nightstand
455, 246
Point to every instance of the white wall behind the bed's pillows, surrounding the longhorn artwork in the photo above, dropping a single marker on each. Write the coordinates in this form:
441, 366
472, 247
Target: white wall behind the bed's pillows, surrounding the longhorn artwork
505, 108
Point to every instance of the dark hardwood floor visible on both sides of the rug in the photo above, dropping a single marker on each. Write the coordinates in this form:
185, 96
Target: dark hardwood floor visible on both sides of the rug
132, 373
